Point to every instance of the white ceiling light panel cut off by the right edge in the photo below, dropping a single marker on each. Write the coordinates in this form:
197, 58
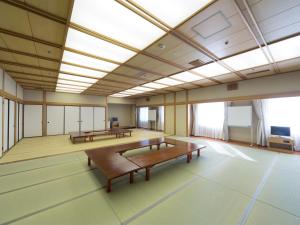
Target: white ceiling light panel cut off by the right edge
286, 49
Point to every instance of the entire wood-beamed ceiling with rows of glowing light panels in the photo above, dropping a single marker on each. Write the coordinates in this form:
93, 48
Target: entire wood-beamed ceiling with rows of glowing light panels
65, 45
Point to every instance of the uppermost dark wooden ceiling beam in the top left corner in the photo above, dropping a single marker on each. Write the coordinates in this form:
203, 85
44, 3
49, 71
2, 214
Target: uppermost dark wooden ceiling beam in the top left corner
35, 10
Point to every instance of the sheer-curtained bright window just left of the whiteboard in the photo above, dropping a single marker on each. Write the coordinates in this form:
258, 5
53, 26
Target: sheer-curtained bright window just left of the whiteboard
209, 119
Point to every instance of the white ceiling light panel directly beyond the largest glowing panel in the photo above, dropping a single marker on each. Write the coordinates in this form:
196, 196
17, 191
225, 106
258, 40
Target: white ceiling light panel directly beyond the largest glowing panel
95, 46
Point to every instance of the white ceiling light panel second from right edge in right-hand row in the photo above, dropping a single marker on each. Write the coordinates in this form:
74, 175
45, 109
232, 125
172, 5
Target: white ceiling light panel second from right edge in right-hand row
247, 60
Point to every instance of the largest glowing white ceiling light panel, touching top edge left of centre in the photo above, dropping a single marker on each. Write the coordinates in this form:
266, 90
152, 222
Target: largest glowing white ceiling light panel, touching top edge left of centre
112, 19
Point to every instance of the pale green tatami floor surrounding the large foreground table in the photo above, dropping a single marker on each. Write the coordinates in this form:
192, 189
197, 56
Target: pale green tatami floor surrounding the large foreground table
227, 185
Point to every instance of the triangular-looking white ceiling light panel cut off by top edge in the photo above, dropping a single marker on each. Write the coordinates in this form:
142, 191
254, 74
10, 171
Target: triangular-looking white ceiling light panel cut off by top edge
172, 12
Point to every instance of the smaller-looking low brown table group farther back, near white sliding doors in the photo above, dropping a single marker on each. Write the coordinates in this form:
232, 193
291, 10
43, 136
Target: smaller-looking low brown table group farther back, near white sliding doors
89, 135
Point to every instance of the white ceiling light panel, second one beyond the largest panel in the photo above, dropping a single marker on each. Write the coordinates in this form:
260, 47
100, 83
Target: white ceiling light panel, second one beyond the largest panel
74, 58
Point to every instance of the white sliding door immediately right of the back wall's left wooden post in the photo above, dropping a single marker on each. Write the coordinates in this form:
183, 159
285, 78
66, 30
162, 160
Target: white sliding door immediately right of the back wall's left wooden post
55, 120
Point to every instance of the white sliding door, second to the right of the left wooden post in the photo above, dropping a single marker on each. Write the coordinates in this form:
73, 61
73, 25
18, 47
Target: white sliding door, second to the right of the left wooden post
71, 119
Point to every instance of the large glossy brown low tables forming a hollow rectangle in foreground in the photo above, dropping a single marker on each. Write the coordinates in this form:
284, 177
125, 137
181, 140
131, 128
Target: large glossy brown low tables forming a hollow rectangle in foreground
112, 164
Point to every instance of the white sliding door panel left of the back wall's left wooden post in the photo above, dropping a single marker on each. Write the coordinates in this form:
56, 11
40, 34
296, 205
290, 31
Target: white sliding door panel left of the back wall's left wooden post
32, 120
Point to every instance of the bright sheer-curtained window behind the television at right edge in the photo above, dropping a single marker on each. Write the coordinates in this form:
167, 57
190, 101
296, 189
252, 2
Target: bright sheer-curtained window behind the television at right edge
284, 112
